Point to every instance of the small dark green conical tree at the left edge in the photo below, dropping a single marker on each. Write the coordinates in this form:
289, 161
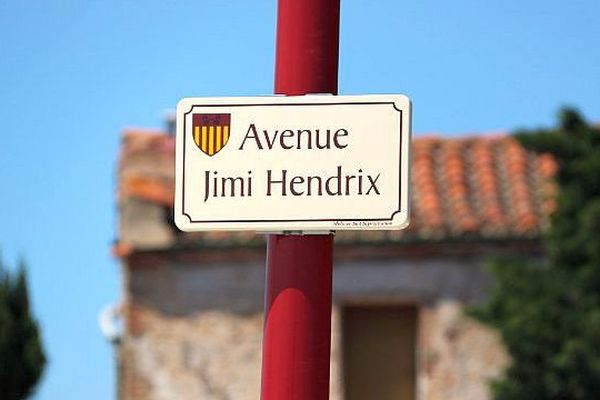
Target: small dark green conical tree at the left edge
22, 357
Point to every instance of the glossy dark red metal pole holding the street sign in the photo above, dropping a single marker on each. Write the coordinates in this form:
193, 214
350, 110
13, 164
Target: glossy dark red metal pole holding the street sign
297, 330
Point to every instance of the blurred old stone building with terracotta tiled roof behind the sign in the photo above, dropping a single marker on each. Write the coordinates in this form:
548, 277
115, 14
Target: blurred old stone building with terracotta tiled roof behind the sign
193, 303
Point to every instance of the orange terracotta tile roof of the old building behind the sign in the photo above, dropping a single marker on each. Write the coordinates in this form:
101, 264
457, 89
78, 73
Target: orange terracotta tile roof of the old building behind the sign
485, 187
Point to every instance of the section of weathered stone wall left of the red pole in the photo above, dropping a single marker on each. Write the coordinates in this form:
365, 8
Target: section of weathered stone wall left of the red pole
193, 332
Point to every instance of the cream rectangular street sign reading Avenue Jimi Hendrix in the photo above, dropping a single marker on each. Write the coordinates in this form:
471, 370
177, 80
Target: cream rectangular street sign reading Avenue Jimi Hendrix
293, 163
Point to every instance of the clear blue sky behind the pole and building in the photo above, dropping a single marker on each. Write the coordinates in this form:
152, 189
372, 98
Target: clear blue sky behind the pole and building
74, 74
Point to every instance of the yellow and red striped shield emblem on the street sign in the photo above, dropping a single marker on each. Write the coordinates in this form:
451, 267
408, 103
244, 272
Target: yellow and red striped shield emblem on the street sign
211, 132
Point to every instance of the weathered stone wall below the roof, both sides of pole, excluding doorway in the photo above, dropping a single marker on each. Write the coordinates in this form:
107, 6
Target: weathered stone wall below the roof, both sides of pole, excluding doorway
193, 331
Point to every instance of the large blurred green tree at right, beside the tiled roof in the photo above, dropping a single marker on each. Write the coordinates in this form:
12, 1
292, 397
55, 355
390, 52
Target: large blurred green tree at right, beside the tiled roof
548, 313
